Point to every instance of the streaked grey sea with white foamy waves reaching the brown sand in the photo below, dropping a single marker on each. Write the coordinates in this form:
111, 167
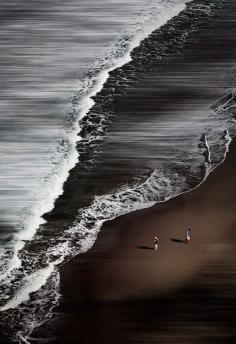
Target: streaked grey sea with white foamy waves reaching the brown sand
95, 50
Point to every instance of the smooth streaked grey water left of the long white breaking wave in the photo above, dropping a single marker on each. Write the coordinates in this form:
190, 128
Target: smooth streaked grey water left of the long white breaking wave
46, 46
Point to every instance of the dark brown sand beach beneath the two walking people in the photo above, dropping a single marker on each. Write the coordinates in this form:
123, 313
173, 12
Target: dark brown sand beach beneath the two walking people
122, 291
